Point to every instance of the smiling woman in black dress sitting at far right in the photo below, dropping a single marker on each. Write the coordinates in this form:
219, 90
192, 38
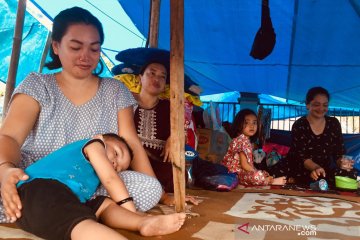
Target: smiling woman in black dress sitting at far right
317, 146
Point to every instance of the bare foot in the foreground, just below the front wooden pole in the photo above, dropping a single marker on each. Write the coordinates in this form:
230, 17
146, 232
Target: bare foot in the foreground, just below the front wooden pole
162, 224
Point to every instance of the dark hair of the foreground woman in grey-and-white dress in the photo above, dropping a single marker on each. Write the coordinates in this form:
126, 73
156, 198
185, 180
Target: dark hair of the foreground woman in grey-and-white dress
61, 24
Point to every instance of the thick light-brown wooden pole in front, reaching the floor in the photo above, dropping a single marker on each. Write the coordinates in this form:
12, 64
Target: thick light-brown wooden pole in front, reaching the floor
177, 101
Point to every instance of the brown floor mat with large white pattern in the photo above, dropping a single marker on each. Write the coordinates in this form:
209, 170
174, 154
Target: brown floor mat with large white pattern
256, 214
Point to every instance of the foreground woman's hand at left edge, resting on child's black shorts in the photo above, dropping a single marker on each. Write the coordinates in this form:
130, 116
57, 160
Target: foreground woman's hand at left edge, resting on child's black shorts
9, 193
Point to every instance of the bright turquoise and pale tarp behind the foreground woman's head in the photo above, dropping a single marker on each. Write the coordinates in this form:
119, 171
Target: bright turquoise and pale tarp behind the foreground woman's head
120, 33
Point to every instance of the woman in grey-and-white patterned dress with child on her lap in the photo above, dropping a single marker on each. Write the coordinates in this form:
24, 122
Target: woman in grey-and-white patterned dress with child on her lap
48, 111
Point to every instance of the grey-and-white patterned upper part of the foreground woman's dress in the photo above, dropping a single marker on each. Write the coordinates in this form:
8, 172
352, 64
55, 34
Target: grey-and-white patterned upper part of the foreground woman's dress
61, 122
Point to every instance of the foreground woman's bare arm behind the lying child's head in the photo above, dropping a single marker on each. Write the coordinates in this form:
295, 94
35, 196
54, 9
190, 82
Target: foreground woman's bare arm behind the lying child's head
127, 130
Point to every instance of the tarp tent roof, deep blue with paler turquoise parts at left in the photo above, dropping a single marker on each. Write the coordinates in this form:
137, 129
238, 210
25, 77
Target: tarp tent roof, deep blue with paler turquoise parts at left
317, 43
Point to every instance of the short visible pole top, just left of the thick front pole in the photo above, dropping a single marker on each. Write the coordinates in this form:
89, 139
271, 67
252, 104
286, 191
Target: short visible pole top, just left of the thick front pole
154, 23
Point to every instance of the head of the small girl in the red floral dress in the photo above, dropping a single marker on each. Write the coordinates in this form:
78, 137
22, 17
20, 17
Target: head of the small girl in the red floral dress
245, 122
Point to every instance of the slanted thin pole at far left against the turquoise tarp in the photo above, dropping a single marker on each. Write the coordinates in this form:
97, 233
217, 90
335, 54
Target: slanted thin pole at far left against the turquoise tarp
15, 54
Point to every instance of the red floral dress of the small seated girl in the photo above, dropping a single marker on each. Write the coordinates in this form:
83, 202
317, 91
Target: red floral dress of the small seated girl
232, 162
